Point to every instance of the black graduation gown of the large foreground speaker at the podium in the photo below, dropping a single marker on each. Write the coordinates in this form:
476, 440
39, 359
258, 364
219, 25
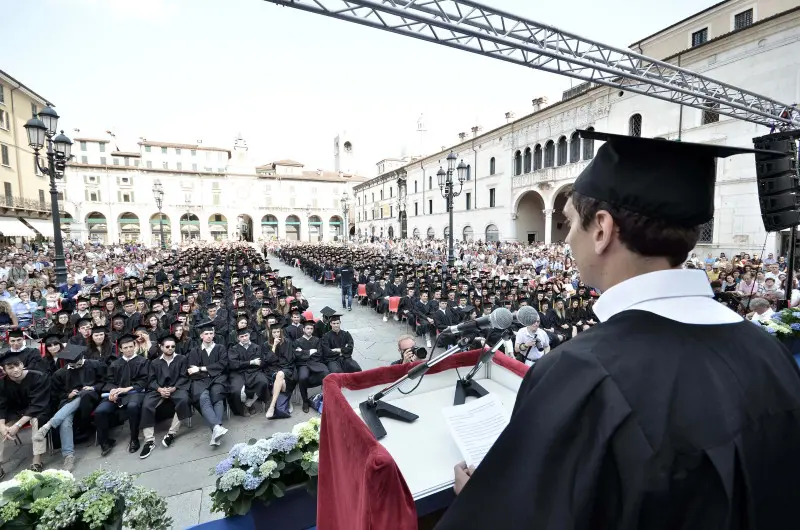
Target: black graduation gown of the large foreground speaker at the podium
650, 424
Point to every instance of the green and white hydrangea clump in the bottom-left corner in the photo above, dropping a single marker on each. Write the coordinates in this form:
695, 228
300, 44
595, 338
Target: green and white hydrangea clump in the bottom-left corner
104, 500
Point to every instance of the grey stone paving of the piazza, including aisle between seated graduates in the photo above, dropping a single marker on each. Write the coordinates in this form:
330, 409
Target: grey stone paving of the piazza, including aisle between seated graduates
182, 473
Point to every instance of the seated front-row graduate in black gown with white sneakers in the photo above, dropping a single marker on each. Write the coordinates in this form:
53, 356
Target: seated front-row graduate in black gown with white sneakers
208, 373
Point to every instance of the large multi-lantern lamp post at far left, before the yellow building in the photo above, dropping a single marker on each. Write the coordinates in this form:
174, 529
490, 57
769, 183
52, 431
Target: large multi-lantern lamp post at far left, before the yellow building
41, 132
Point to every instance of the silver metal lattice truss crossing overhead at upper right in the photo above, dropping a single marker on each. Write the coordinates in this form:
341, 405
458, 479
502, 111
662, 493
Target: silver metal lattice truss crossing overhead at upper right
476, 28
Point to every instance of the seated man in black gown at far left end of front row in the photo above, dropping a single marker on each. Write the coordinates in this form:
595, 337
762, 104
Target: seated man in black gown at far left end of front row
24, 398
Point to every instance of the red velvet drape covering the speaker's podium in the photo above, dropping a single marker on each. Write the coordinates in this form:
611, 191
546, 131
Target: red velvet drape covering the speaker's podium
360, 485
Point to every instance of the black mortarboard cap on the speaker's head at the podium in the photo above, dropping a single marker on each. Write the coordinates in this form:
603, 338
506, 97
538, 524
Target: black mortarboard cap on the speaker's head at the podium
660, 179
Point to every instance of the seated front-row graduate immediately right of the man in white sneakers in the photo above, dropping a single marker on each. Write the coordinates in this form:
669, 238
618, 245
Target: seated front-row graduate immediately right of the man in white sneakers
246, 371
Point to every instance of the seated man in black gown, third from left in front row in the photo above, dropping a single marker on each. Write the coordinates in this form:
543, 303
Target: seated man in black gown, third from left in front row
123, 394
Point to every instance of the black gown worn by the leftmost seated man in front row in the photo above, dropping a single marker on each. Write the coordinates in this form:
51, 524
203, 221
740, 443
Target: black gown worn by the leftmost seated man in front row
29, 397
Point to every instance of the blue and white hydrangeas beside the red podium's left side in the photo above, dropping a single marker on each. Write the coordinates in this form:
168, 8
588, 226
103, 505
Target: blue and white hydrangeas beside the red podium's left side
267, 469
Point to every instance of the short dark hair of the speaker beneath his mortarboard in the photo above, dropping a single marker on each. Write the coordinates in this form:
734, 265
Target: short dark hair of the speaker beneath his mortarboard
640, 234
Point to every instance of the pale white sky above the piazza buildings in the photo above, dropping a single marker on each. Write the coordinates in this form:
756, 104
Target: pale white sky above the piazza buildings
287, 80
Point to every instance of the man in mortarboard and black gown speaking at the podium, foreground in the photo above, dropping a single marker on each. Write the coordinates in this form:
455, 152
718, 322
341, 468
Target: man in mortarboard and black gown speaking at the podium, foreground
672, 412
